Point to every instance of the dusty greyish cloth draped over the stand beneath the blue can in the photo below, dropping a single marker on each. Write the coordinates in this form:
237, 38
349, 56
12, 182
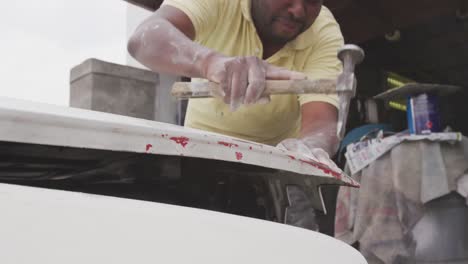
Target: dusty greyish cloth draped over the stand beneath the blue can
381, 214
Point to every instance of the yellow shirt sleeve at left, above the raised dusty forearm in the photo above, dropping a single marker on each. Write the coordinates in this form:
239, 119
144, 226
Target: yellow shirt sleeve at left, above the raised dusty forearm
204, 14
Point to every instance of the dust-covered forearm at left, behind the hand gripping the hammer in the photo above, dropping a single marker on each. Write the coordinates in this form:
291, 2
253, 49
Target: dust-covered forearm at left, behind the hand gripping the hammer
162, 47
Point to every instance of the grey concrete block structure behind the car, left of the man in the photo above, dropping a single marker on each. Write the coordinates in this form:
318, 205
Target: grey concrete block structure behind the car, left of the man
113, 88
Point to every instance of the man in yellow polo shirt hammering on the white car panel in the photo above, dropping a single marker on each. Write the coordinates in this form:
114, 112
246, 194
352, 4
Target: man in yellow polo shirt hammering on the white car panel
240, 44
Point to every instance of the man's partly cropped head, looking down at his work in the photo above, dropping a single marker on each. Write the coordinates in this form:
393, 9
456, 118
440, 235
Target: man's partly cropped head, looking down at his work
280, 21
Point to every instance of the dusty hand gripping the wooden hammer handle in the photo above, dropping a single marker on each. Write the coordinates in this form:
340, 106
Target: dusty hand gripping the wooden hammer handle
242, 79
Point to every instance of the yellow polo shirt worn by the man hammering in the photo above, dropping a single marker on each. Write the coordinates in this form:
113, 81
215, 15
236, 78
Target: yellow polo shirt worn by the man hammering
227, 27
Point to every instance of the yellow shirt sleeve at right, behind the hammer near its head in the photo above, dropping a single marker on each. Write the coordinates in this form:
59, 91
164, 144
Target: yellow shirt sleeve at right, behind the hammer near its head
323, 62
